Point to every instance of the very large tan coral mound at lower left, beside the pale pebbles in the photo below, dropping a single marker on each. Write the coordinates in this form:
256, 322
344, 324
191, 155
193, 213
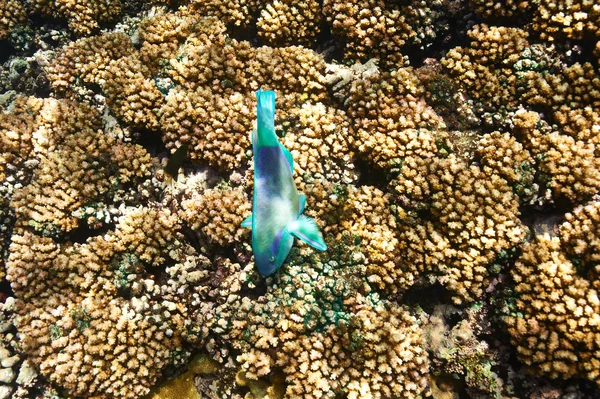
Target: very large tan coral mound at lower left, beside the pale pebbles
79, 333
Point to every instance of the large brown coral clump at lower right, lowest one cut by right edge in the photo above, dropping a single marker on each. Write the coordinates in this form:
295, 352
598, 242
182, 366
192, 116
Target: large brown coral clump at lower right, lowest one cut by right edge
555, 321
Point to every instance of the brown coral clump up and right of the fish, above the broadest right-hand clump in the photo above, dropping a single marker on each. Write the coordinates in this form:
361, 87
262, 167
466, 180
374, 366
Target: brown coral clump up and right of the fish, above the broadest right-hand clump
391, 116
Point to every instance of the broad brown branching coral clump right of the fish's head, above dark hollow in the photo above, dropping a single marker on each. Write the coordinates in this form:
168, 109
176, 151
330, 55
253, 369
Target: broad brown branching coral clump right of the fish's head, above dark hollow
473, 221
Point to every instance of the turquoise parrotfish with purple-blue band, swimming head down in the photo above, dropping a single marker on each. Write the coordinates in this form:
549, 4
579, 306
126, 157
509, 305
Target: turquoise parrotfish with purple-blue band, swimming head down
277, 206
